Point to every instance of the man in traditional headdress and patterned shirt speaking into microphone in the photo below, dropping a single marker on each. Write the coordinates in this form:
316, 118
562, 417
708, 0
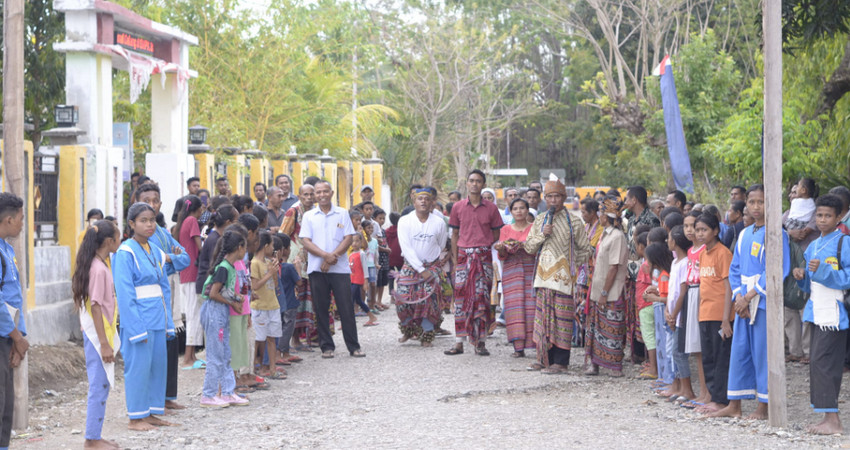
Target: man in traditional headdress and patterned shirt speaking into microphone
561, 241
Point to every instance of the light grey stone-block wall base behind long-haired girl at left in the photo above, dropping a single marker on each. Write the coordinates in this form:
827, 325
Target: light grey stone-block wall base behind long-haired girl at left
53, 319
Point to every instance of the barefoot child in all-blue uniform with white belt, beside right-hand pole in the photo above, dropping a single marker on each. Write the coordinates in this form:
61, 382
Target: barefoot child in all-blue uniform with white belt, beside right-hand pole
747, 276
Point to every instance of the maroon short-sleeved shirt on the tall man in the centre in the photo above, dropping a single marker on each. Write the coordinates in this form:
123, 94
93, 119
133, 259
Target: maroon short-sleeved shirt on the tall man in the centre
476, 223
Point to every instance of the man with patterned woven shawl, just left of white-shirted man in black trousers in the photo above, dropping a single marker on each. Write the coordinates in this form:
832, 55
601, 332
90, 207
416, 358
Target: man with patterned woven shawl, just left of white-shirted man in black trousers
305, 319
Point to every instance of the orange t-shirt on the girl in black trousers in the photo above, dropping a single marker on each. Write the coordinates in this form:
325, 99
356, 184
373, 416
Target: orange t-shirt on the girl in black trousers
713, 274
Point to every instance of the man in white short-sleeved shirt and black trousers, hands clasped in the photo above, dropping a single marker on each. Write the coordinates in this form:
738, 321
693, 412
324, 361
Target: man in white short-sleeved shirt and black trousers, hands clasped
326, 233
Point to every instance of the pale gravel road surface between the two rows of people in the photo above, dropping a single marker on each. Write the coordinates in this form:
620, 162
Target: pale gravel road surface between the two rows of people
402, 395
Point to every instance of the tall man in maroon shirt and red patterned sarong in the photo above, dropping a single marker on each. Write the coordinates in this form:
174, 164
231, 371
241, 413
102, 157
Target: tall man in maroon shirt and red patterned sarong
475, 225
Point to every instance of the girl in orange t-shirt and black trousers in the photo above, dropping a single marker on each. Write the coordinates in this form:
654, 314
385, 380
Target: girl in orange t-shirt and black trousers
715, 310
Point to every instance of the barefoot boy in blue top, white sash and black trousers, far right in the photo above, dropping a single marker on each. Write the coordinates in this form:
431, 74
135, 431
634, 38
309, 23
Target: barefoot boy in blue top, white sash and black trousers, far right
826, 277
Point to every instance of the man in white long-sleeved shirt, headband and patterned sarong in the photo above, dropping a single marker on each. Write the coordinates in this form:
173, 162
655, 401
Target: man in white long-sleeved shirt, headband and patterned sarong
418, 292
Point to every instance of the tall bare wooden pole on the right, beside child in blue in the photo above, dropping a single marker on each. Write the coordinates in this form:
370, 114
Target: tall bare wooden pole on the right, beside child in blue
773, 211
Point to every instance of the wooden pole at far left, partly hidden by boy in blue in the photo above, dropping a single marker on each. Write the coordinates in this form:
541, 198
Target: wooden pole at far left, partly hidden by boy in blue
13, 166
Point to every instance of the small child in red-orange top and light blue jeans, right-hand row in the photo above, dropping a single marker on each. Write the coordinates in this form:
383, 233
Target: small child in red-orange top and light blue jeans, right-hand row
661, 259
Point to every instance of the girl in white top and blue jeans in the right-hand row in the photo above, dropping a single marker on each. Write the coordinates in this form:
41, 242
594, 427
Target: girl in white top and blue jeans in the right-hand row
678, 243
